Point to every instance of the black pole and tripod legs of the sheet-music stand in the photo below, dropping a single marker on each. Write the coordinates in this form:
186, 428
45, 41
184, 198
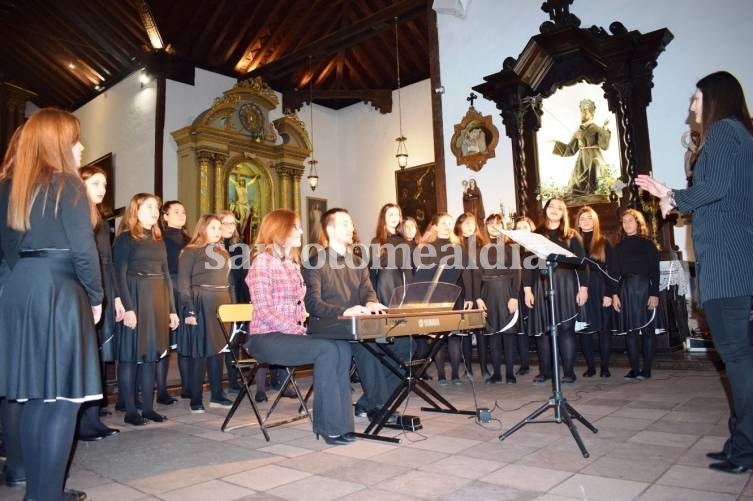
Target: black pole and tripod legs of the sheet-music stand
563, 411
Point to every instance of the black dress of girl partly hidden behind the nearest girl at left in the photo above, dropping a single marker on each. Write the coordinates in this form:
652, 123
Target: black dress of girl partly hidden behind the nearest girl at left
106, 328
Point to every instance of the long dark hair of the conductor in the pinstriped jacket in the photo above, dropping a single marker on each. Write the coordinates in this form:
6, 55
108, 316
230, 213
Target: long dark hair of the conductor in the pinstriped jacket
723, 97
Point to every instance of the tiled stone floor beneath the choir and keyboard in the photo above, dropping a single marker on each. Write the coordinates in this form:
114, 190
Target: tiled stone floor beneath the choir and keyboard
650, 446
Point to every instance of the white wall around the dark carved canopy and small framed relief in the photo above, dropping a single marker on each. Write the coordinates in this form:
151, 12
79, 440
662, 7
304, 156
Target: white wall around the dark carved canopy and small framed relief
705, 36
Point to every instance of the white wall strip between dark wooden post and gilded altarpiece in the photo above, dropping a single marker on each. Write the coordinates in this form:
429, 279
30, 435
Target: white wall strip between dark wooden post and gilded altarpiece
183, 104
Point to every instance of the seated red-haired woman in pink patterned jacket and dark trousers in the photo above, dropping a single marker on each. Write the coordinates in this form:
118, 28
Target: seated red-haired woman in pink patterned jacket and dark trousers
276, 331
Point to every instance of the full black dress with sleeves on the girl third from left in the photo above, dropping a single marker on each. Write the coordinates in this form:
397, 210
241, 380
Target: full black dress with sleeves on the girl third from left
144, 283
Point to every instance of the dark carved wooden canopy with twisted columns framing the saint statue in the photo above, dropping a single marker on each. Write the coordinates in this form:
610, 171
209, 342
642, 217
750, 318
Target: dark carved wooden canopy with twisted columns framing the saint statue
620, 61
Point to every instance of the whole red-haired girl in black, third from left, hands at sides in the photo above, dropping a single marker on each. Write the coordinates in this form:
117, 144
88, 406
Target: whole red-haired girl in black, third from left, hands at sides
146, 291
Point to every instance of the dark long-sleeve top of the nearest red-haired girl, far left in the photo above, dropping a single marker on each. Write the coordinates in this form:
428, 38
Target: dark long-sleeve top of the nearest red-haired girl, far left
66, 227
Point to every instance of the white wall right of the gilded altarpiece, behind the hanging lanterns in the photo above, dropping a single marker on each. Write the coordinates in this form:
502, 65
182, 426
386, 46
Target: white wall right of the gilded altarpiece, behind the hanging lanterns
367, 153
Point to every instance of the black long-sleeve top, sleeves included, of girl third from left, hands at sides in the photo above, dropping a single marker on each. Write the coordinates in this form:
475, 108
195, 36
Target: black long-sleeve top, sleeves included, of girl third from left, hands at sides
133, 256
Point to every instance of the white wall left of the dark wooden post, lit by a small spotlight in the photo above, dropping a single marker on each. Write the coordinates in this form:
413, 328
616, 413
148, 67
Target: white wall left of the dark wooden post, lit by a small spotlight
121, 120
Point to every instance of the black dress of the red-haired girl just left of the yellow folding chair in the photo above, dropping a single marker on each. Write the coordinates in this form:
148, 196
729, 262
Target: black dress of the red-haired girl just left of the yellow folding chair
203, 286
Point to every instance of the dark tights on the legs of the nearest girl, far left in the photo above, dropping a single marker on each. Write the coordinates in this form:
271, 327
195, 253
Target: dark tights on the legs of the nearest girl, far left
47, 431
